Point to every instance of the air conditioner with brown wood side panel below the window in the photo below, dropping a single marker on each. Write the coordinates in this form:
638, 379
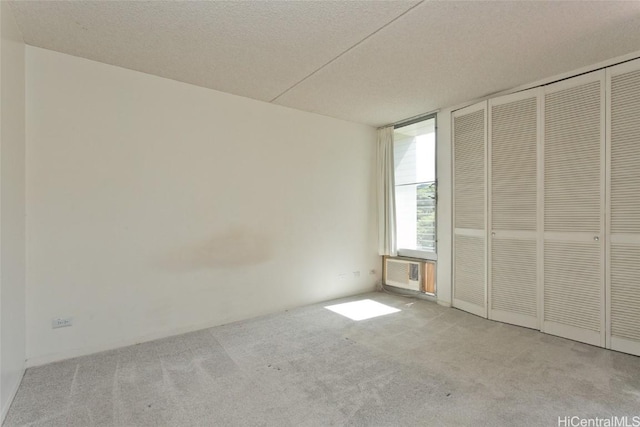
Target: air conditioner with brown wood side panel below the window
413, 275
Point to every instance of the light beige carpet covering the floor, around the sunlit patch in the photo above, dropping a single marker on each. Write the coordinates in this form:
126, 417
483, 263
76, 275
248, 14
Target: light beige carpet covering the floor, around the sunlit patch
424, 365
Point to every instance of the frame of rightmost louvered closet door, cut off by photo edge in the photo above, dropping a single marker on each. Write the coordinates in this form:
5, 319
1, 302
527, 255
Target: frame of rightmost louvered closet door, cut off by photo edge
614, 343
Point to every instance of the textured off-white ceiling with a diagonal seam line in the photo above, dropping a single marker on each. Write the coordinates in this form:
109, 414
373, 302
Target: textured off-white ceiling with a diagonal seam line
373, 62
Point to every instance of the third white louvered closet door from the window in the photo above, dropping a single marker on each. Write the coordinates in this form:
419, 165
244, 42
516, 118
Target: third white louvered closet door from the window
574, 161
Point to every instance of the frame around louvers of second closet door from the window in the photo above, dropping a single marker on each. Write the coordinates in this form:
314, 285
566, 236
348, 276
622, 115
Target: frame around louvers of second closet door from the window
499, 315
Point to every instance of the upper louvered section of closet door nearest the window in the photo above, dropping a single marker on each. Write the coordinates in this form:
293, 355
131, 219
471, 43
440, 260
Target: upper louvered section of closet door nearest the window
469, 147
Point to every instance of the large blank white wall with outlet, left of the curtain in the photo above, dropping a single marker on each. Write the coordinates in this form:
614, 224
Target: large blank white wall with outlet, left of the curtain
156, 207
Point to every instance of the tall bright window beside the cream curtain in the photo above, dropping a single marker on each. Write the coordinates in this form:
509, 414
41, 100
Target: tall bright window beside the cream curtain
415, 175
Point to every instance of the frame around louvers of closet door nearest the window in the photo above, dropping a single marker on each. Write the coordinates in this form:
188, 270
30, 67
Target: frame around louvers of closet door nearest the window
464, 305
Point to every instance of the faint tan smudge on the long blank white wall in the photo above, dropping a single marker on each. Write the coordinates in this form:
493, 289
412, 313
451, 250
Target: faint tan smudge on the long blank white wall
237, 247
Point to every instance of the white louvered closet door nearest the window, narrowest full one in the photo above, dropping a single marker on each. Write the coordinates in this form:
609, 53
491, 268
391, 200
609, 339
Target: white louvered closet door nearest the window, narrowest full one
469, 209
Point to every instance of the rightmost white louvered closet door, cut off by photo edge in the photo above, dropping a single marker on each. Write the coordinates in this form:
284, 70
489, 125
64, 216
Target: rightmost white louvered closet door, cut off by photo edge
623, 266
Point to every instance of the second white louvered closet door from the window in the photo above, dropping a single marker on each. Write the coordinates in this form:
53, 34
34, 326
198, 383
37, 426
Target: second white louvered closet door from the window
513, 214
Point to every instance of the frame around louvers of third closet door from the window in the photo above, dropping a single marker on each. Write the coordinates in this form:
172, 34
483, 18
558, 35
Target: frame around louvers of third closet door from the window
554, 328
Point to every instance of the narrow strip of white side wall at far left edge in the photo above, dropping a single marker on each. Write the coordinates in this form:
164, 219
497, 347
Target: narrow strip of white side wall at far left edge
12, 208
